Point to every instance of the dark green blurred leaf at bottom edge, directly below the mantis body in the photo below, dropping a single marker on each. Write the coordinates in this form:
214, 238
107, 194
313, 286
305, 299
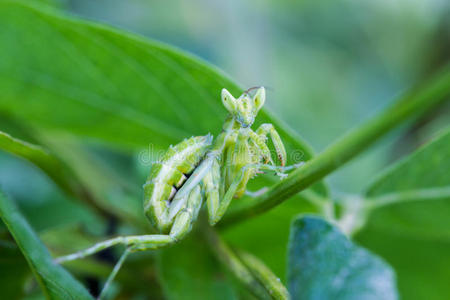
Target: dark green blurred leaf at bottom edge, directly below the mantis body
190, 271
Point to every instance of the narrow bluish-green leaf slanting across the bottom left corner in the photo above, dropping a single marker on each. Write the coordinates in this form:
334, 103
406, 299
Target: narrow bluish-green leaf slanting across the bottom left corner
55, 281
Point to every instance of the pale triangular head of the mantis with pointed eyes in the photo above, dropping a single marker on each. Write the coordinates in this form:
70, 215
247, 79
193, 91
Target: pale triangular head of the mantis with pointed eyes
245, 108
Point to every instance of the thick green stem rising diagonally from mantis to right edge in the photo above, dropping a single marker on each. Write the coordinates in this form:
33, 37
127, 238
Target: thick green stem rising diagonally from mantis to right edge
413, 103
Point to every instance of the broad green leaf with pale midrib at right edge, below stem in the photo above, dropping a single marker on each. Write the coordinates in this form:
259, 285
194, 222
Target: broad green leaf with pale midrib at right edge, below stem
410, 224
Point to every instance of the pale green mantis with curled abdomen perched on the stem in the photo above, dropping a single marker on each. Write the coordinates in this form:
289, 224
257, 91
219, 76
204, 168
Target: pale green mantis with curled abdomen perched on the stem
200, 168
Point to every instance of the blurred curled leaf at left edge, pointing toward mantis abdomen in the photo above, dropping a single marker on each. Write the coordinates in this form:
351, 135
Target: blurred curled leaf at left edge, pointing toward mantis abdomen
77, 173
